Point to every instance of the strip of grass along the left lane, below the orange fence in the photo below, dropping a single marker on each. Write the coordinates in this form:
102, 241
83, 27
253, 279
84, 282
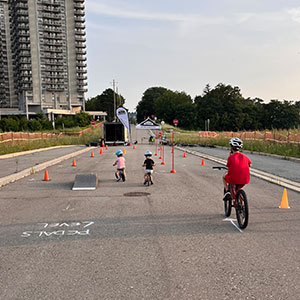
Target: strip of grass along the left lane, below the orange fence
84, 139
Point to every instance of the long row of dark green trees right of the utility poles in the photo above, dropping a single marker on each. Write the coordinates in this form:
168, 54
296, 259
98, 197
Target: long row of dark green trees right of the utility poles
223, 108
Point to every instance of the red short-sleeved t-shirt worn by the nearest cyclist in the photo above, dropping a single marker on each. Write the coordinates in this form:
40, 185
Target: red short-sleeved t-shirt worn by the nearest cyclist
238, 169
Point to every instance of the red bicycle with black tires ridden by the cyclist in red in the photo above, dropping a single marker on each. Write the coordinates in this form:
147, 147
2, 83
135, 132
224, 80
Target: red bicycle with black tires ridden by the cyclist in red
238, 201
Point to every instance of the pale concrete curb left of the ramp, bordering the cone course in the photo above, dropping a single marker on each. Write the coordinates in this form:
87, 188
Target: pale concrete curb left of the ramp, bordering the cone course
29, 171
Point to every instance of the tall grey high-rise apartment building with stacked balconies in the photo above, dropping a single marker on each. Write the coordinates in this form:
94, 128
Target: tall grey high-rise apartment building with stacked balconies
43, 56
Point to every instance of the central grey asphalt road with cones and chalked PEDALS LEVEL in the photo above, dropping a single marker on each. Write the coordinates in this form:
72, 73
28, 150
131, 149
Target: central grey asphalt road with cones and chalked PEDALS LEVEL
167, 241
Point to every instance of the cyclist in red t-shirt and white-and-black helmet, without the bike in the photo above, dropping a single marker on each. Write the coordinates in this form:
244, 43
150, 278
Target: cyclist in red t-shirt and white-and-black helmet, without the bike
238, 167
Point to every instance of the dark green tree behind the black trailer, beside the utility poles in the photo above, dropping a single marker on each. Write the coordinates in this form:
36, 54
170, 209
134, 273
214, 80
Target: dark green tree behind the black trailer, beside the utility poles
105, 102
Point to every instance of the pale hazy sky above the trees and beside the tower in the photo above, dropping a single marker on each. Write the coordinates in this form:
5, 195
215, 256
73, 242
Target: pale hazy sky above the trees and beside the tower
183, 45
